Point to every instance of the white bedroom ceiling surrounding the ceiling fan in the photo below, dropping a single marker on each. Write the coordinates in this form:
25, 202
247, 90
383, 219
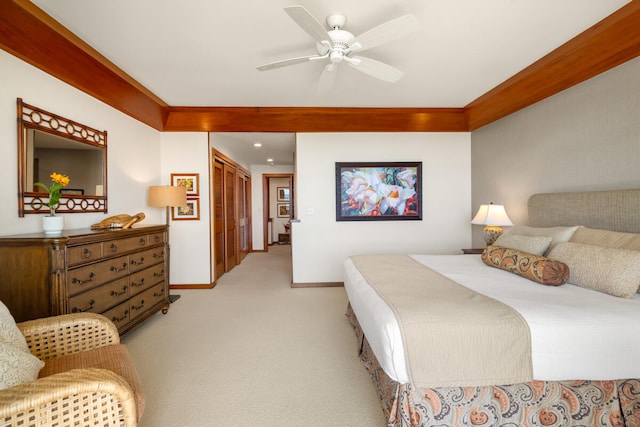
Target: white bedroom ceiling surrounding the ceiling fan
204, 52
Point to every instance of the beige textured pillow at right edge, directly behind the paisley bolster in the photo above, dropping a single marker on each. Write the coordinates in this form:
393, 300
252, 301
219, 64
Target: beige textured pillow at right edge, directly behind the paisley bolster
609, 270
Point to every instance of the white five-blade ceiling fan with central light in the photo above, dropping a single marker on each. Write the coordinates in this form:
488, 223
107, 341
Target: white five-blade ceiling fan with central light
338, 45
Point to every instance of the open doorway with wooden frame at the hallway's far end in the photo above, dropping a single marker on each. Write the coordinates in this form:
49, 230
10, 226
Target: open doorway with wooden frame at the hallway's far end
278, 207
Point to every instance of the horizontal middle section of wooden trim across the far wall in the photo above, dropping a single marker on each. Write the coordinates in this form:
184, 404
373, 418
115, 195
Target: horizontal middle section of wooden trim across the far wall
315, 119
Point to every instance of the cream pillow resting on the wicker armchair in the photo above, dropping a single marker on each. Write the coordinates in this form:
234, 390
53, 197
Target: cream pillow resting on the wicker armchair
17, 364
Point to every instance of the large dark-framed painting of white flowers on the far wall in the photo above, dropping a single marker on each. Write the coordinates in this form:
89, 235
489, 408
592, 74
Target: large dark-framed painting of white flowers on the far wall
378, 191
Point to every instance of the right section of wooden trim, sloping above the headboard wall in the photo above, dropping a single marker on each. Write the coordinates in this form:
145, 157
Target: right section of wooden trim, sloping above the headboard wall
609, 43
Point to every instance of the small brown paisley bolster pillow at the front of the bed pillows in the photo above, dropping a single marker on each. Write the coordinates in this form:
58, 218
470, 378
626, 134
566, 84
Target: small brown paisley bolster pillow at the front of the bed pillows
533, 267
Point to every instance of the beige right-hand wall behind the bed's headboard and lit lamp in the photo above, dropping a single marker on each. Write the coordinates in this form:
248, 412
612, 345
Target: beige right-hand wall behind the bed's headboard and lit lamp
585, 138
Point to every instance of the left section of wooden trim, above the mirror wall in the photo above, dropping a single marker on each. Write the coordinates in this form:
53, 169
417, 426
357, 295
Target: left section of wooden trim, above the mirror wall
27, 32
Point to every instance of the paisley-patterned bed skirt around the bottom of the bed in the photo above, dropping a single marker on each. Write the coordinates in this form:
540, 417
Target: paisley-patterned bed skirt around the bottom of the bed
536, 403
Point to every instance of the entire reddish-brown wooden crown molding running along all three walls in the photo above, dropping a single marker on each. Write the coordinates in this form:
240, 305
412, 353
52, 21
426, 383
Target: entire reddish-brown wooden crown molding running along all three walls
30, 34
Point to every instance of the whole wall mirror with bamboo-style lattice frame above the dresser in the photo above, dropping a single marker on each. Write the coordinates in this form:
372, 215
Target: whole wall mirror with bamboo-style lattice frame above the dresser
50, 143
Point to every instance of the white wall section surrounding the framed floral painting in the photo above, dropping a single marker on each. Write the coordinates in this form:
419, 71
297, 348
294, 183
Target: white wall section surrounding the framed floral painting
320, 244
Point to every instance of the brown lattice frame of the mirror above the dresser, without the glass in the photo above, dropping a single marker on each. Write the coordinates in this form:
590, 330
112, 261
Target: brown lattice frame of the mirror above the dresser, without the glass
29, 202
